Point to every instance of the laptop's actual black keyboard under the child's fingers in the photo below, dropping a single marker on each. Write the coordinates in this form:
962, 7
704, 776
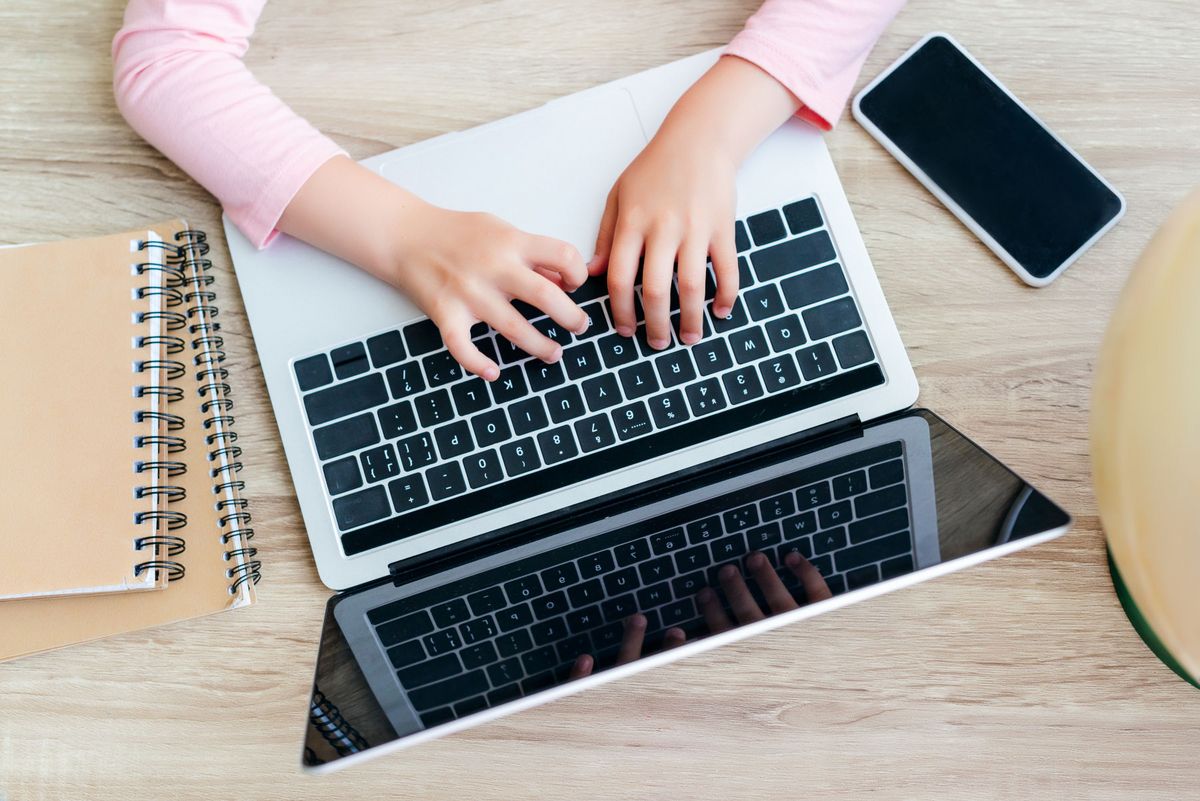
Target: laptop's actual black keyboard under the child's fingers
398, 426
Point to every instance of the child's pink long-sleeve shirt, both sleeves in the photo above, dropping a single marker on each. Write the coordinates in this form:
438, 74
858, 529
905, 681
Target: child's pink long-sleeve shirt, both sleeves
254, 153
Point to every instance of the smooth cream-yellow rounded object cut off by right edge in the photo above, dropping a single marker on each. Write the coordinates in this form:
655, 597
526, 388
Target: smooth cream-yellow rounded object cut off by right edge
1145, 432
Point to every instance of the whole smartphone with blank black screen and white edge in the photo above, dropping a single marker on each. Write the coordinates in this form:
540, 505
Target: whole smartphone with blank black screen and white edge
988, 159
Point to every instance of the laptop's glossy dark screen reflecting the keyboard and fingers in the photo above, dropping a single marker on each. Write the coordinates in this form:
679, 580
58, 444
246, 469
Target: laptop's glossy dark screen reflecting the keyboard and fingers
658, 574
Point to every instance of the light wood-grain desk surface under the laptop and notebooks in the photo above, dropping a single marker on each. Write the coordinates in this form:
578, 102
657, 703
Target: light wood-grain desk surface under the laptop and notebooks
1029, 683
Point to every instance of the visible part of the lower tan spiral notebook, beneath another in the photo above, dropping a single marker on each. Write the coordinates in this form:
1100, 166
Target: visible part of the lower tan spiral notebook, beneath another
219, 562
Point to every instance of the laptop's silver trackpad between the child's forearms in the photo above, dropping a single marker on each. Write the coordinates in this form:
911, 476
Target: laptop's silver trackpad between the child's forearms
548, 171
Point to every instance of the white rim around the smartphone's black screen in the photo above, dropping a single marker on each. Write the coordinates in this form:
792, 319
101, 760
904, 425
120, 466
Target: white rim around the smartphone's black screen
956, 209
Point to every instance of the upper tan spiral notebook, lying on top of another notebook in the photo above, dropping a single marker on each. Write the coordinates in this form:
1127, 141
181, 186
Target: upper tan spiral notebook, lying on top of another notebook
74, 345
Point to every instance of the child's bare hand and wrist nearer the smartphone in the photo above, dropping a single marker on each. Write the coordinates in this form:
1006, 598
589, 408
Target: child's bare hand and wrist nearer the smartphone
676, 202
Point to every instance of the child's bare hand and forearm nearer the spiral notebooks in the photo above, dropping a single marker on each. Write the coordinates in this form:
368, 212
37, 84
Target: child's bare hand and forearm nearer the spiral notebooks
459, 268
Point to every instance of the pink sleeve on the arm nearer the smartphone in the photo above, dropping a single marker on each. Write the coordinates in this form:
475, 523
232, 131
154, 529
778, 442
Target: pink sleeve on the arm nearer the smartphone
815, 49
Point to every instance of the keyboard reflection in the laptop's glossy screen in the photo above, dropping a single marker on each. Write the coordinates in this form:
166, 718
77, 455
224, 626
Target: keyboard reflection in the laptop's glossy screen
514, 630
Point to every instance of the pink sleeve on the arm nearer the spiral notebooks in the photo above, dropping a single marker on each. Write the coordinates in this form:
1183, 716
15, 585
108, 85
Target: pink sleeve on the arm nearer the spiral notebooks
181, 82
